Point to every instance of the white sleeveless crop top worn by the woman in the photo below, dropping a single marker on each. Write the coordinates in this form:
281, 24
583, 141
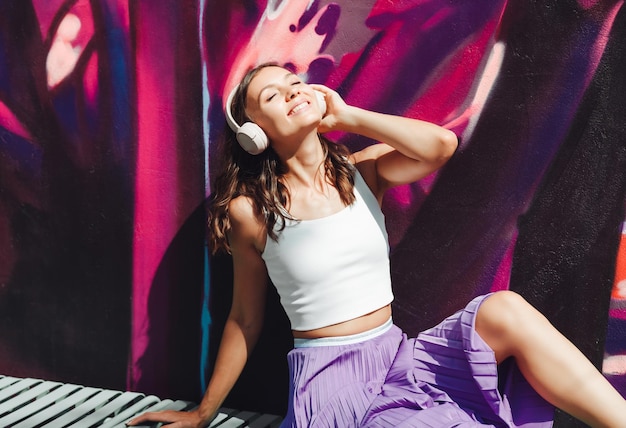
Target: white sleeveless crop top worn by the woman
334, 268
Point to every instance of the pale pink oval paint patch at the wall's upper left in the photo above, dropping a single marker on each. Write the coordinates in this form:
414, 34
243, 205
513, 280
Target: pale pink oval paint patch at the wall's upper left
63, 54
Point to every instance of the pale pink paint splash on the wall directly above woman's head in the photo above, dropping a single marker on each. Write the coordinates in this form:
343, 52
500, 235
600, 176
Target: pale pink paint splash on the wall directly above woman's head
299, 48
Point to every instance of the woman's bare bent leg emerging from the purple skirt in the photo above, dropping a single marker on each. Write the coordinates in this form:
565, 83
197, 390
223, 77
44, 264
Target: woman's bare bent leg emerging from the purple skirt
557, 370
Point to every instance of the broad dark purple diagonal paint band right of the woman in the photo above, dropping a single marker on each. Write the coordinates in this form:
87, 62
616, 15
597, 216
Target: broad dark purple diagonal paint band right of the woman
468, 226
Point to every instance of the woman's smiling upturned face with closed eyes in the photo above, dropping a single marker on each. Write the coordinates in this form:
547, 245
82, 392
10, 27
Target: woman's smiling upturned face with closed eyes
282, 104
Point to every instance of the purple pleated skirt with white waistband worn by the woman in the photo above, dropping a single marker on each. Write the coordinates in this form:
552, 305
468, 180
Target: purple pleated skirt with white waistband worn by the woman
446, 377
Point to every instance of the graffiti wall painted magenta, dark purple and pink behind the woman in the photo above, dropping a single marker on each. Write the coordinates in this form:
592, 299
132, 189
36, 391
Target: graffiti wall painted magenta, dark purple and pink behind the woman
111, 110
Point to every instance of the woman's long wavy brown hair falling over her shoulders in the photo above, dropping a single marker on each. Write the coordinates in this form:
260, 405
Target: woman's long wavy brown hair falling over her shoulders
259, 177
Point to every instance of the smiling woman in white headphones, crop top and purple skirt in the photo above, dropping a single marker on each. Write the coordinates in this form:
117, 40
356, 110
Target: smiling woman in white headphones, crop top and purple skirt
306, 213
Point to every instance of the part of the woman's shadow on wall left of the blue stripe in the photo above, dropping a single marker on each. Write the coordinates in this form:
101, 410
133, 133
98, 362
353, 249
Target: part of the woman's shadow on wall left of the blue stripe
170, 364
